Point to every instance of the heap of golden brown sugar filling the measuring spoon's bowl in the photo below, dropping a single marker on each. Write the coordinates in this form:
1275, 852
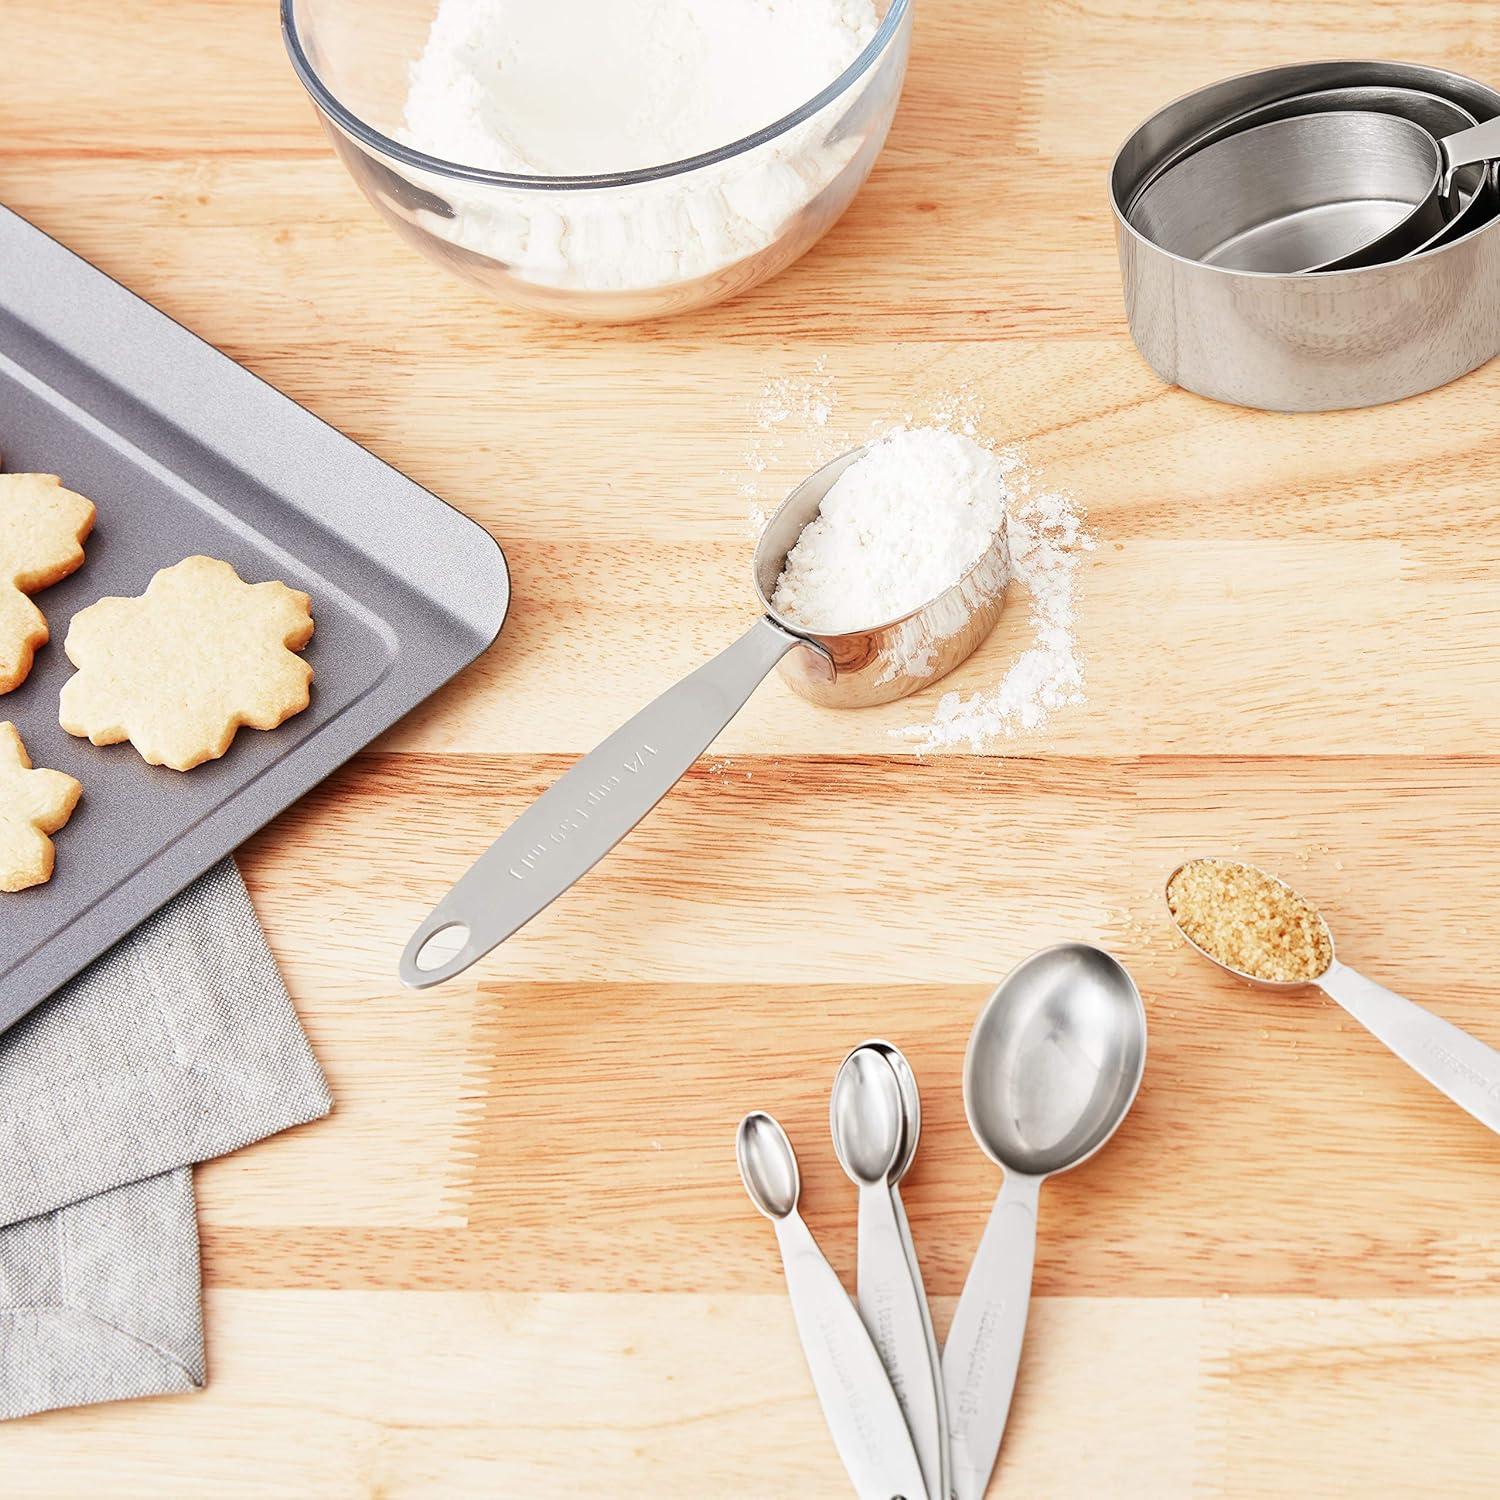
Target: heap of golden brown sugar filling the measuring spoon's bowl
1250, 922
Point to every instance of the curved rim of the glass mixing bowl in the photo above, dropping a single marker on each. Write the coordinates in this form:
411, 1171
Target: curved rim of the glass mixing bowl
379, 142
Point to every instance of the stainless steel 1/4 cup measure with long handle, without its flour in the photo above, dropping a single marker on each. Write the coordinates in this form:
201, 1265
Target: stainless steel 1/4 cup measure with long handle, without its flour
595, 805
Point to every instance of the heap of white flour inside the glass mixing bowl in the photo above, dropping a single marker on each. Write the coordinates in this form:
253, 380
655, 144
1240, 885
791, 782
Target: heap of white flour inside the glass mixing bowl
580, 88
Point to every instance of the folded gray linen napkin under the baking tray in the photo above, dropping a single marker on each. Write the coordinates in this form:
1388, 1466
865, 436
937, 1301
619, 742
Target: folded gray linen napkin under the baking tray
178, 1046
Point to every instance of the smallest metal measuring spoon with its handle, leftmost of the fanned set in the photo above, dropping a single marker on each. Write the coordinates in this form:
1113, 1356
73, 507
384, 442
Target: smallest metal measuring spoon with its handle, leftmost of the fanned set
859, 1403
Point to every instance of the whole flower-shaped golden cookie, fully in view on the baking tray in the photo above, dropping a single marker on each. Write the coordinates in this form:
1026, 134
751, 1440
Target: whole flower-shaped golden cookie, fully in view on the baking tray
178, 670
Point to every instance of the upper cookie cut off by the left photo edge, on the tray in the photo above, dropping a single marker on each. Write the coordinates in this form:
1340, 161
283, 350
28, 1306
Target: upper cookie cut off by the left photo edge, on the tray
43, 529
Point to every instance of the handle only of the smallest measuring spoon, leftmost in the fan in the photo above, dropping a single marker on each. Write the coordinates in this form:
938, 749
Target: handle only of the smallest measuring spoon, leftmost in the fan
859, 1403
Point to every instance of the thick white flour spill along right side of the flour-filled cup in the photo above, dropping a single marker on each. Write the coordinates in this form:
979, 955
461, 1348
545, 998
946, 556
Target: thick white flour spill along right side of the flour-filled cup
1048, 539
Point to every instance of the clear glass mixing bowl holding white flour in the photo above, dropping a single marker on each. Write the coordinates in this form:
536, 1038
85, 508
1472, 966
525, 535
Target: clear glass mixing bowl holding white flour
614, 248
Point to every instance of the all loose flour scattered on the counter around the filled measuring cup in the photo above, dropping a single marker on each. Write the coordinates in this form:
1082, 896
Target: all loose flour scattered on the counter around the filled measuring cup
799, 424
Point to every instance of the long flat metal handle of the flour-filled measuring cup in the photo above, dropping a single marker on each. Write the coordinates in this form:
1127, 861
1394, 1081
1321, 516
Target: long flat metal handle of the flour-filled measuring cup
593, 806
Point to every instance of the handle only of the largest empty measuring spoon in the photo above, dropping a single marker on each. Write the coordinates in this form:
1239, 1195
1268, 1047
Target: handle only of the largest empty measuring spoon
985, 1342
